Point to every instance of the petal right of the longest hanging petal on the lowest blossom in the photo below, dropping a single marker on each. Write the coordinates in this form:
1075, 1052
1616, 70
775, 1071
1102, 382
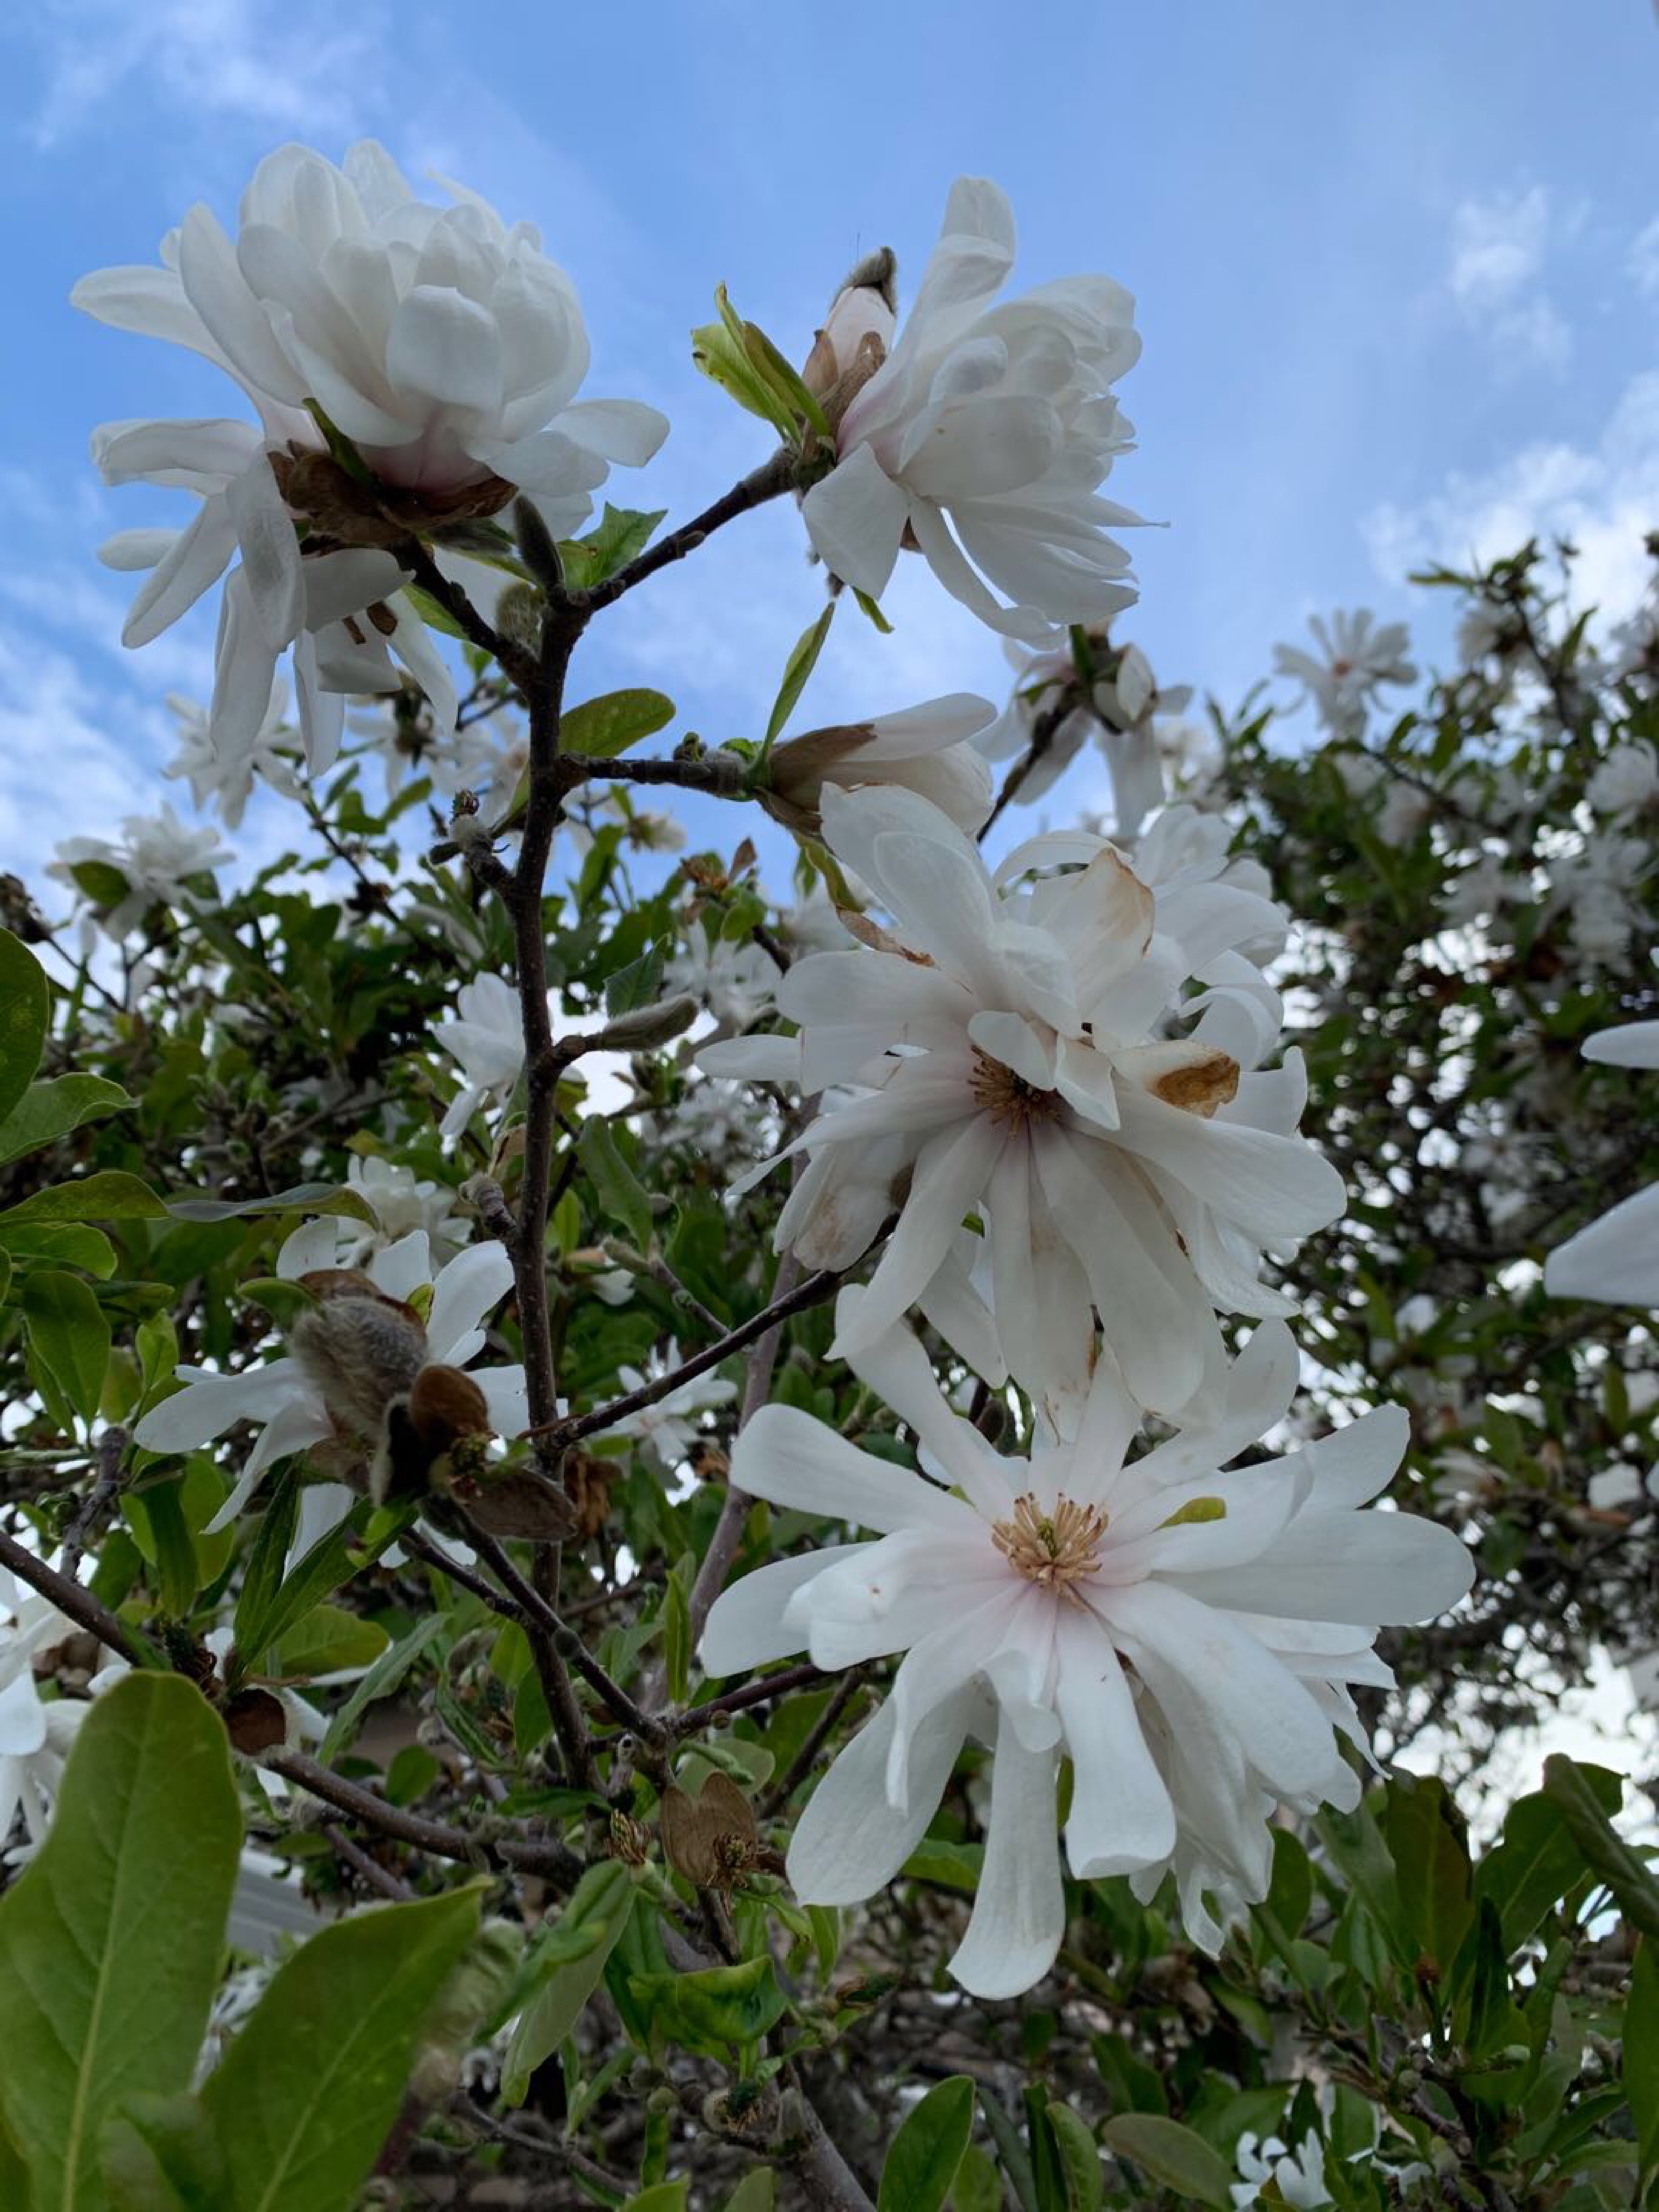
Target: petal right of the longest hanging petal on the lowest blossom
1120, 1808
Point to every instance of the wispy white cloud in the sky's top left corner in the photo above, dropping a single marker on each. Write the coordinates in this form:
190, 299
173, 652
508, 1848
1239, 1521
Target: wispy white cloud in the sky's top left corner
286, 70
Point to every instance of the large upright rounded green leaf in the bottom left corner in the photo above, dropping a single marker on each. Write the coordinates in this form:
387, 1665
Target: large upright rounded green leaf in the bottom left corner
112, 1937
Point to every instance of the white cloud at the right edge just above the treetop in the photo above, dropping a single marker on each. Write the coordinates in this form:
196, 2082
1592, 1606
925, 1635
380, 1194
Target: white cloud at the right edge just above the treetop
1605, 497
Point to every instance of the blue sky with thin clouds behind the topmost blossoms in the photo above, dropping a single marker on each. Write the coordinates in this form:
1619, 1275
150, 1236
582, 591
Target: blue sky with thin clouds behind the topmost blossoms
1397, 278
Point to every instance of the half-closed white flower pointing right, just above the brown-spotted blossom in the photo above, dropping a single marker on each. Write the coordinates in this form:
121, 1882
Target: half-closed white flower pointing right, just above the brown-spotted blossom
928, 749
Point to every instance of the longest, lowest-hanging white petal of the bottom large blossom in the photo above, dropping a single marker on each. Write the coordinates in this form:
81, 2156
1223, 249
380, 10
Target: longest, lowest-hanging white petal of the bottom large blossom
1021, 1906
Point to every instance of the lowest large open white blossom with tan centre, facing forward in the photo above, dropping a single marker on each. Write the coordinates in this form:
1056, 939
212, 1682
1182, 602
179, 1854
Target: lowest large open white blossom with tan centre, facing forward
1180, 1634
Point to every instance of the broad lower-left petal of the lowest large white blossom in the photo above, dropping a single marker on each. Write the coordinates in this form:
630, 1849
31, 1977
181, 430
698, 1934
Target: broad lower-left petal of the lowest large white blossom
853, 1841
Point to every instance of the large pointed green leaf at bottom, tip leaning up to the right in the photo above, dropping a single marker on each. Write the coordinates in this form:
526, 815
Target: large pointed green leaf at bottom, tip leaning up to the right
309, 2091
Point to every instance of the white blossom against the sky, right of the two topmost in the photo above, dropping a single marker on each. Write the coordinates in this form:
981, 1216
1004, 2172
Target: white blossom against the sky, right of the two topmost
985, 435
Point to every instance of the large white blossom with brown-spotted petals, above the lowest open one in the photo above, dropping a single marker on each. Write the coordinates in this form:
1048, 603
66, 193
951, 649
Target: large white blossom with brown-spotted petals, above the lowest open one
1008, 1056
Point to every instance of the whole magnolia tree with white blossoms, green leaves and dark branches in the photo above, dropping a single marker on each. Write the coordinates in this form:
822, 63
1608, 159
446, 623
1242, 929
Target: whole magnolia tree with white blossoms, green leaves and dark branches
680, 1541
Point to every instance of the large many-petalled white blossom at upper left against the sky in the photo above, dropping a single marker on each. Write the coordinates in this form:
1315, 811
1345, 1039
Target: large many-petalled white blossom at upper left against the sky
446, 346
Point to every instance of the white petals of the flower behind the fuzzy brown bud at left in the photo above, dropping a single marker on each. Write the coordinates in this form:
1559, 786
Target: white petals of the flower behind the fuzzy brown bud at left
286, 1406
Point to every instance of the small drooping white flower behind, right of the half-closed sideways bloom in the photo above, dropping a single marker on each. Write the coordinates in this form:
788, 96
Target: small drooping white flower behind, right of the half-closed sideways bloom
1123, 709
